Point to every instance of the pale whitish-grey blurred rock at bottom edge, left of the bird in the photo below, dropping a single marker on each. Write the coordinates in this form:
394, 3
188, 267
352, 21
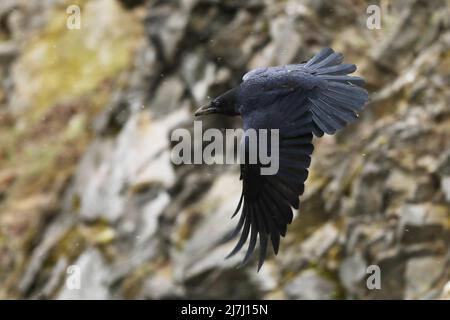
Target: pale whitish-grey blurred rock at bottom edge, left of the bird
94, 278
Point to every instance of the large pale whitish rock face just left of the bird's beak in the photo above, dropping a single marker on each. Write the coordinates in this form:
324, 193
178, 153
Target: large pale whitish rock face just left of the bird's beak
142, 164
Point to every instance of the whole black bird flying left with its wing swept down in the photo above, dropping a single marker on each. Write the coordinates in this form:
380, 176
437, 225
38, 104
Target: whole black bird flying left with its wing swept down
300, 100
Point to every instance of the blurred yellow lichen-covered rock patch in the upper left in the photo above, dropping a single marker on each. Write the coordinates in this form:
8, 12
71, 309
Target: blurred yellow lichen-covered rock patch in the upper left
90, 55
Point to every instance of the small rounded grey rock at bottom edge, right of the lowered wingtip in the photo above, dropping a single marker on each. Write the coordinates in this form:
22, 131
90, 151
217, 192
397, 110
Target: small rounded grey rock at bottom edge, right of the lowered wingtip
308, 285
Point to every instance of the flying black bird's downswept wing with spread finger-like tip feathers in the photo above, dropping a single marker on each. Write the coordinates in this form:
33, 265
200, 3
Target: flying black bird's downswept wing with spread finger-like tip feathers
266, 200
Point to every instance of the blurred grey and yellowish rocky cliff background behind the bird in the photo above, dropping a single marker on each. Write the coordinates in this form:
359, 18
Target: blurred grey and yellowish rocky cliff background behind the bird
85, 171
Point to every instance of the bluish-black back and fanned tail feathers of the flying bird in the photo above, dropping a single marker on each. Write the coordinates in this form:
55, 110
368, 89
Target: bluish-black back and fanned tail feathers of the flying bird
333, 97
